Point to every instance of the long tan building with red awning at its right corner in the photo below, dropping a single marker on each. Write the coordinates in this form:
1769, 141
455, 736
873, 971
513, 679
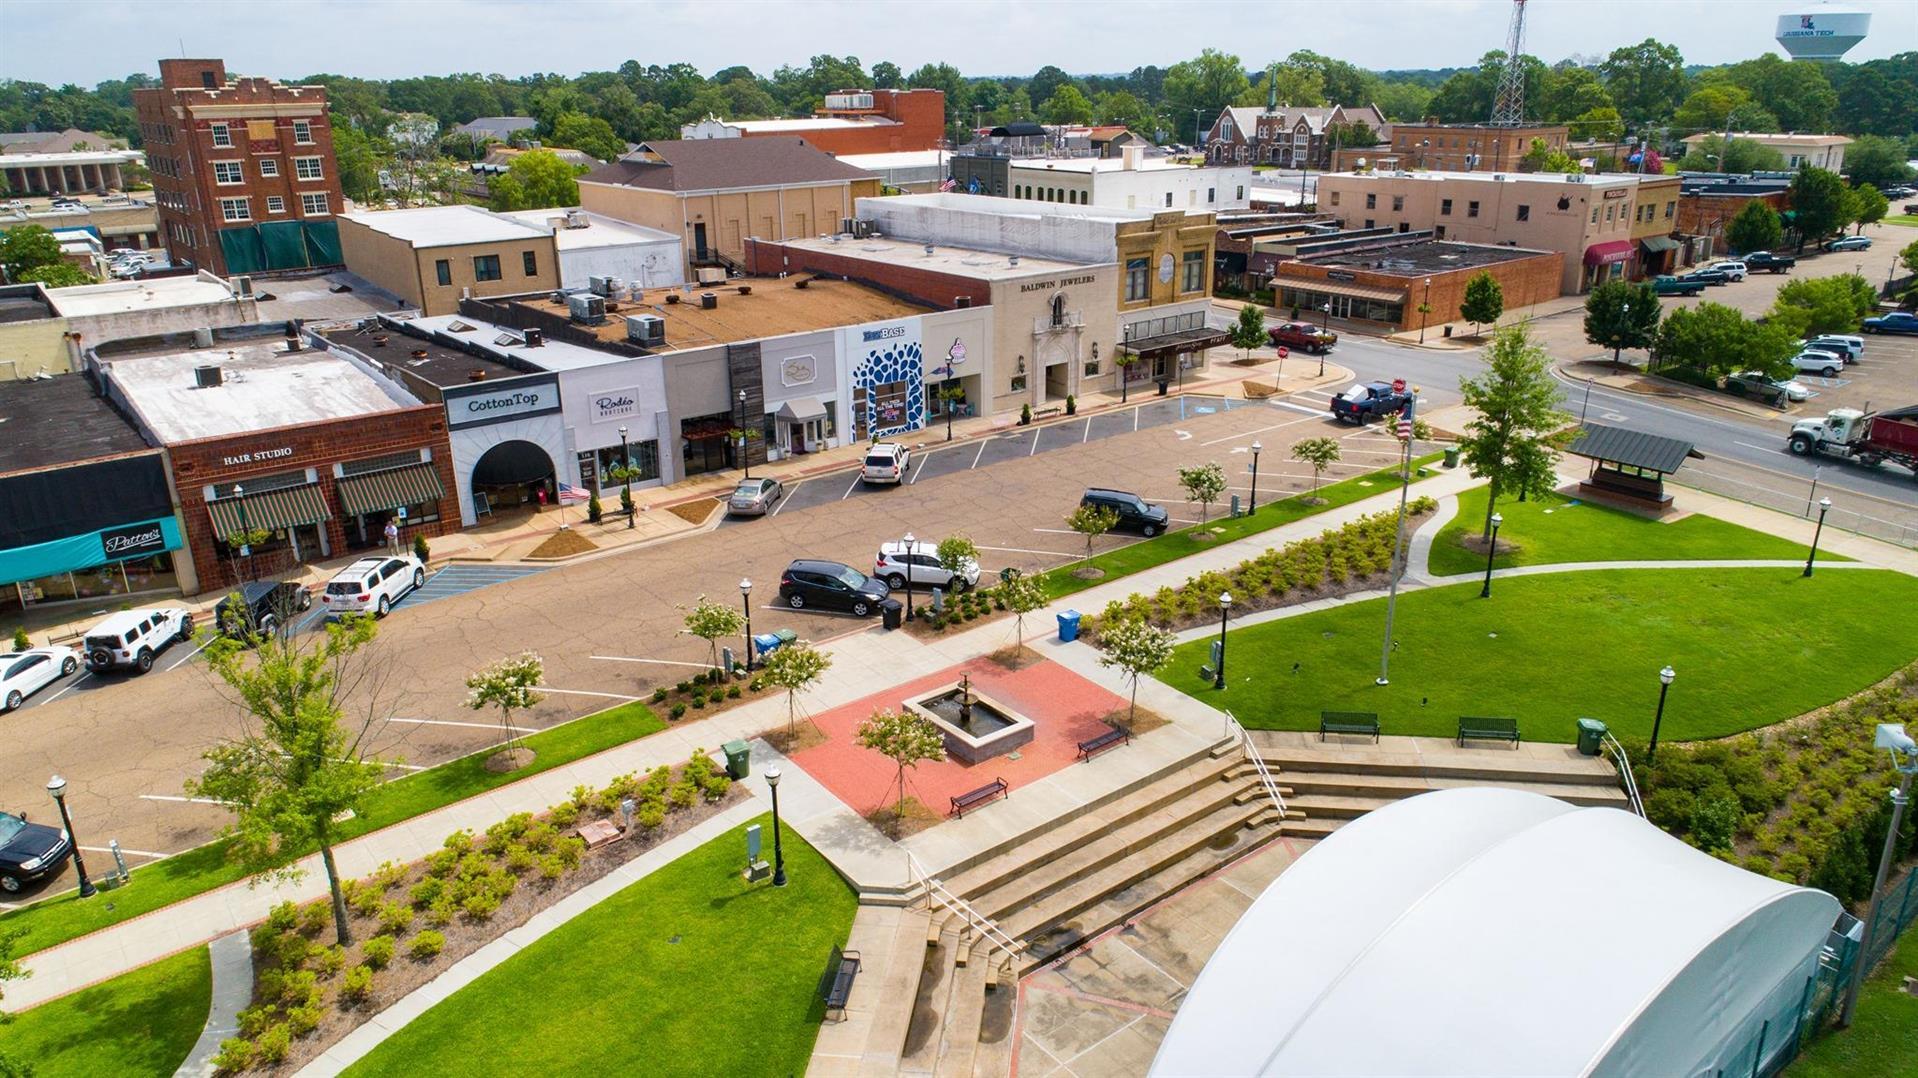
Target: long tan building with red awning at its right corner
1589, 220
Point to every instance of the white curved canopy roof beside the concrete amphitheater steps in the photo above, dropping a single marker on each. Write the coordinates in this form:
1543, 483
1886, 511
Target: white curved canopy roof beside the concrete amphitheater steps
1599, 945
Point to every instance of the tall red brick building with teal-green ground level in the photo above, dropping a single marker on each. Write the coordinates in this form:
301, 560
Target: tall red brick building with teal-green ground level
245, 170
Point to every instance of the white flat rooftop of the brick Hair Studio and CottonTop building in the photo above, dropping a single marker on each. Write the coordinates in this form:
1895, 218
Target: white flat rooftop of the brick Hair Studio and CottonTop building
266, 387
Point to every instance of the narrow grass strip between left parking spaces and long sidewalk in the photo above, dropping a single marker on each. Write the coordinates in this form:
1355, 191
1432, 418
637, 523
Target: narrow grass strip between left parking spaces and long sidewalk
206, 868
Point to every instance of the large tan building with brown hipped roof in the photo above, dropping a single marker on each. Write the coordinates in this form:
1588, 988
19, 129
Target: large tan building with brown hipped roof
718, 193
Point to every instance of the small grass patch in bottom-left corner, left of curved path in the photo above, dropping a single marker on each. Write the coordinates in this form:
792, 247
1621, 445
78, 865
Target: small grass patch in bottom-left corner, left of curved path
139, 1023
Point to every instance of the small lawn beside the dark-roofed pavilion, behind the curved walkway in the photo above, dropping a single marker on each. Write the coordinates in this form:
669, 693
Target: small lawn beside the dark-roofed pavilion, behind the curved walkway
1555, 530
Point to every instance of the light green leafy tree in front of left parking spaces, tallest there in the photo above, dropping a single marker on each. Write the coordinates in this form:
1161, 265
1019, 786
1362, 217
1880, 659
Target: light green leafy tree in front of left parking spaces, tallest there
296, 768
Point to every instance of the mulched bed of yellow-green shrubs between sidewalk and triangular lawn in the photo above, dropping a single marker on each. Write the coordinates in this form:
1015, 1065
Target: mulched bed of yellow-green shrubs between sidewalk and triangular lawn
415, 922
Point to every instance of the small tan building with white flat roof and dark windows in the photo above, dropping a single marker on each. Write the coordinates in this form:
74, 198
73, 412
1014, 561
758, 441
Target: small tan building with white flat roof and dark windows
434, 256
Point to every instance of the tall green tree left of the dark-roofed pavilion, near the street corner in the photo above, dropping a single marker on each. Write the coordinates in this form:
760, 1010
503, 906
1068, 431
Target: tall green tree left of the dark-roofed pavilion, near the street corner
1512, 438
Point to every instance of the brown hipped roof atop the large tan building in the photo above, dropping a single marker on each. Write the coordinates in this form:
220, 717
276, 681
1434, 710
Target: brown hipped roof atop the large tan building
722, 164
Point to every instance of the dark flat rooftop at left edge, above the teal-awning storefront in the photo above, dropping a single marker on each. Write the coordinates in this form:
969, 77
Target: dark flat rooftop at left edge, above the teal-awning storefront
60, 421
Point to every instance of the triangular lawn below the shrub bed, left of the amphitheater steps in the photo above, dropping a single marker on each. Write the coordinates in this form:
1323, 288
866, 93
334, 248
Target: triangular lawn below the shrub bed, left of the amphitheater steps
690, 972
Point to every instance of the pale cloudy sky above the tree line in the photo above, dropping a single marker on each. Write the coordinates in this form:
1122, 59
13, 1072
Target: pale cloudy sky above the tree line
87, 41
